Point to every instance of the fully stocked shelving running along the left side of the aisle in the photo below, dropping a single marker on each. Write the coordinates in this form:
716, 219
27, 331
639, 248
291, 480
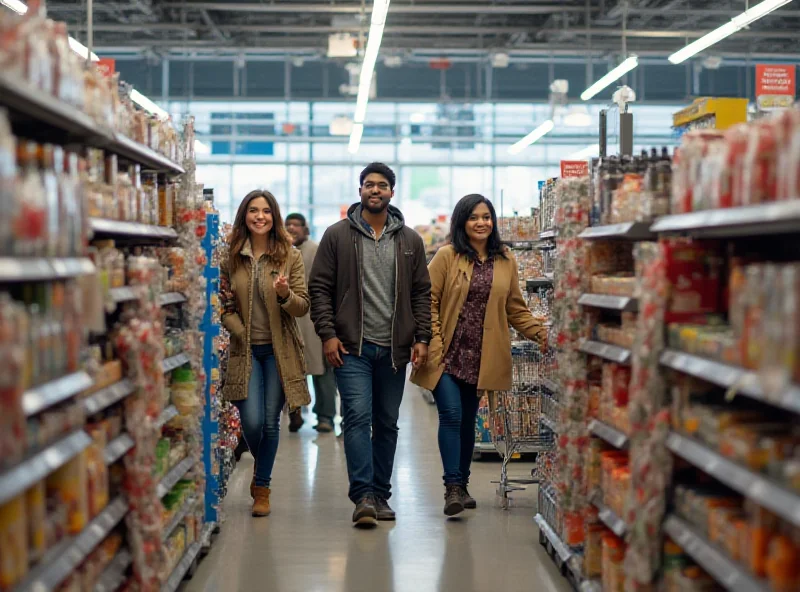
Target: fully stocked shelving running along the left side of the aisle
88, 479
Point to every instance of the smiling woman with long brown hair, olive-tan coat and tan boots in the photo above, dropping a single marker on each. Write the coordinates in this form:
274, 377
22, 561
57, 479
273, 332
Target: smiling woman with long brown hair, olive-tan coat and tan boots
262, 292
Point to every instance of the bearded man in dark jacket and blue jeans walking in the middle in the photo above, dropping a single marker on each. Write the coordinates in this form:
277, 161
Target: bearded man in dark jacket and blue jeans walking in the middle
371, 306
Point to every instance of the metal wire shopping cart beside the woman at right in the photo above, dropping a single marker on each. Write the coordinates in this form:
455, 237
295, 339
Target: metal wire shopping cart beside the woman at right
515, 417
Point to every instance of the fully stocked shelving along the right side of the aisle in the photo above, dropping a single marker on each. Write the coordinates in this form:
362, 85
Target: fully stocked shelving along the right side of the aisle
692, 362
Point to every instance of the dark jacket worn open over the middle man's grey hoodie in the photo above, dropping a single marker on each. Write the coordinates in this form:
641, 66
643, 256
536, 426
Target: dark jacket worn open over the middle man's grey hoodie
339, 280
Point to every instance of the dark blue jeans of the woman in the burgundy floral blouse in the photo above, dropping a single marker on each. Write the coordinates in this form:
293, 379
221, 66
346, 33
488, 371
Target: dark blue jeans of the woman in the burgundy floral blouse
457, 403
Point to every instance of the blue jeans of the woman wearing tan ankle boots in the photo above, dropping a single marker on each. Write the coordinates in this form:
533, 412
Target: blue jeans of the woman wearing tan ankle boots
261, 412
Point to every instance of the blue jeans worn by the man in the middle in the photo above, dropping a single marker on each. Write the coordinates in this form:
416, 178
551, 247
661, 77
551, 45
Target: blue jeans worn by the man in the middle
371, 392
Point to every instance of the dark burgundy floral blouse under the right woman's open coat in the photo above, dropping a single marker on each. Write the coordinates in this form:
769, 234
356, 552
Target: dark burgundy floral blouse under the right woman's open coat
463, 359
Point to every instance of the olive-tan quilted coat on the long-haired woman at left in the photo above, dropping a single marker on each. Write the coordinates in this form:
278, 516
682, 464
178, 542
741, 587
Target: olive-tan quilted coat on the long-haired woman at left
237, 292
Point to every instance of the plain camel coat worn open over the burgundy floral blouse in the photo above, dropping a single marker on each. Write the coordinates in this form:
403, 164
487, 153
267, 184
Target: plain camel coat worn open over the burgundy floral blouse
451, 275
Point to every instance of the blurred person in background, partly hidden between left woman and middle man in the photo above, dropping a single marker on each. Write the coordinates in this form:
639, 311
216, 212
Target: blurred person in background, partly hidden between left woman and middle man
321, 373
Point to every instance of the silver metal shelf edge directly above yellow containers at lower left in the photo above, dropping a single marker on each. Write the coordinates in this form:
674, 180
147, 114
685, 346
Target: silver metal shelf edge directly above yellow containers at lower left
38, 465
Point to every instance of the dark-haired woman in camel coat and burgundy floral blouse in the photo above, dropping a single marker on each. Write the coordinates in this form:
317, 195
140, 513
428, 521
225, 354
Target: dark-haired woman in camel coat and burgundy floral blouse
475, 295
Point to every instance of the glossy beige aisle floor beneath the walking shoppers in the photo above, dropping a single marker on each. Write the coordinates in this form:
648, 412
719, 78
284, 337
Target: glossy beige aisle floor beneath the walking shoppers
309, 544
